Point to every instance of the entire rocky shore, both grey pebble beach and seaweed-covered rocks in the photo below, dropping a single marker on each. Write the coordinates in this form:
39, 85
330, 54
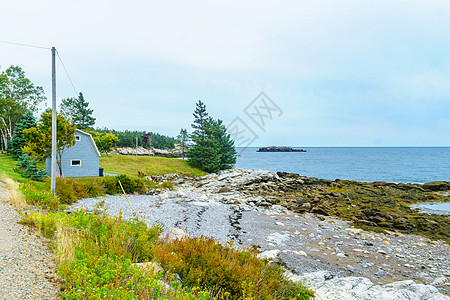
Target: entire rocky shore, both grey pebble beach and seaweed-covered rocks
338, 257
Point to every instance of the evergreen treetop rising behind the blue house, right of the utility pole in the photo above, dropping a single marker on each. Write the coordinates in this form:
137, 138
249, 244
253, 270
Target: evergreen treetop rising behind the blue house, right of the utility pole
77, 110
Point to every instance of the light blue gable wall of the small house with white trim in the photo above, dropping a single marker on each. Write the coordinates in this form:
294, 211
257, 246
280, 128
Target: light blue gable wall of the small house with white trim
83, 150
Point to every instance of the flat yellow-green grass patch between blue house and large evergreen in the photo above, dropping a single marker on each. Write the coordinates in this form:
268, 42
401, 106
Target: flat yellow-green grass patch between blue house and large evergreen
149, 165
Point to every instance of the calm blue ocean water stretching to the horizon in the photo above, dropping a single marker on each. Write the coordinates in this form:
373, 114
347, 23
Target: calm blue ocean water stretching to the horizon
368, 164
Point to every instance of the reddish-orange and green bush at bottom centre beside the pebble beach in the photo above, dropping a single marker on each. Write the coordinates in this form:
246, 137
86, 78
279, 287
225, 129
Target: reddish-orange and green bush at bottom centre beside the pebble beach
239, 274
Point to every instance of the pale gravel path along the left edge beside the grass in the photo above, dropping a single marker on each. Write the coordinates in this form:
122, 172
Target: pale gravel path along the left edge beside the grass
25, 261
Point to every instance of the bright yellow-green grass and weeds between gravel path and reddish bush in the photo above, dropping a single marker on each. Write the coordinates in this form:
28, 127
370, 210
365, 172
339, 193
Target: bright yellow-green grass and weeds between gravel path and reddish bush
103, 252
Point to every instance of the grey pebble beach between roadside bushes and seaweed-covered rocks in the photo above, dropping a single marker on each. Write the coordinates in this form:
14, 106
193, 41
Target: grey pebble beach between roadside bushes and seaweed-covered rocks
303, 244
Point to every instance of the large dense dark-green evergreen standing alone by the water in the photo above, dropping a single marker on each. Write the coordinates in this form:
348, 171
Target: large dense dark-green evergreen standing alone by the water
212, 149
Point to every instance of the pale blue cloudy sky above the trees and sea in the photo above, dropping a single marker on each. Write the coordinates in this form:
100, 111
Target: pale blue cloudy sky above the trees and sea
294, 73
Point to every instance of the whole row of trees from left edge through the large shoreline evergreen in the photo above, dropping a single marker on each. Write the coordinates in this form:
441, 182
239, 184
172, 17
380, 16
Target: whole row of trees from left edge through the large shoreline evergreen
209, 147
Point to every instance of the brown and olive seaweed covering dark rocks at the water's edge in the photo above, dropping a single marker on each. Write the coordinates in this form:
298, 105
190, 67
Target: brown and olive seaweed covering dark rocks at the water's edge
377, 206
